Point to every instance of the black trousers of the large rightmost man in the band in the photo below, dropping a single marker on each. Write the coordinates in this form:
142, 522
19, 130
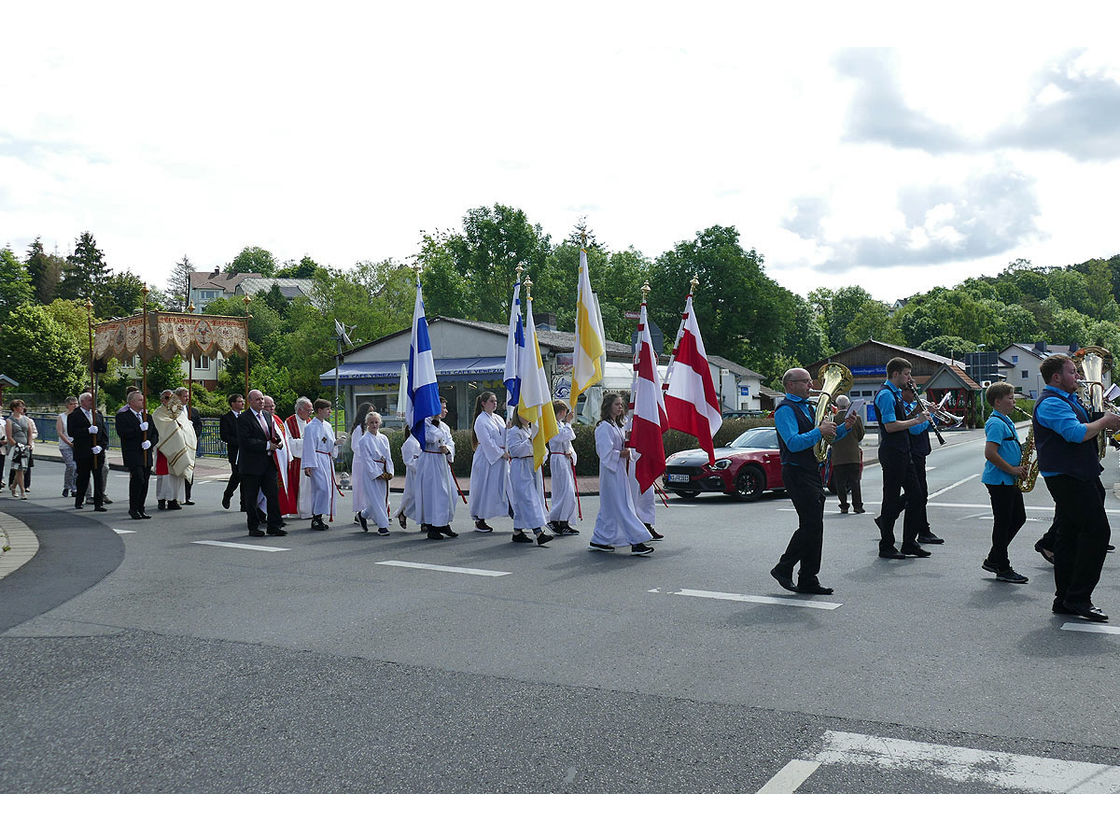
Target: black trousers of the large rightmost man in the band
1084, 535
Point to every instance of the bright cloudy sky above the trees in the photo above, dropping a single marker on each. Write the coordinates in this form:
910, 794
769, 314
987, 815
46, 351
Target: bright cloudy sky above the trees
847, 143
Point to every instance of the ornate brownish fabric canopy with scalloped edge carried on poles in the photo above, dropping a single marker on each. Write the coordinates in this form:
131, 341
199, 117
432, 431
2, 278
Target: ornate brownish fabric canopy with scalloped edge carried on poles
170, 335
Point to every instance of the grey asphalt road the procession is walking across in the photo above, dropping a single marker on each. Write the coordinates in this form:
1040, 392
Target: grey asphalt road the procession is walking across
162, 665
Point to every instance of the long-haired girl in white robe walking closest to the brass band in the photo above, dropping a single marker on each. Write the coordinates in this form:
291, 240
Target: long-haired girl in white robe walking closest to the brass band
617, 525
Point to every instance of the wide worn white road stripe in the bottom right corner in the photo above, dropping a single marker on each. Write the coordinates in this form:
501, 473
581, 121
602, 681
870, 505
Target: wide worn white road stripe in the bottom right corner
1010, 771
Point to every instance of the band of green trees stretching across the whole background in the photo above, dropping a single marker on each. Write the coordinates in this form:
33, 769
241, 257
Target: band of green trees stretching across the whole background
746, 316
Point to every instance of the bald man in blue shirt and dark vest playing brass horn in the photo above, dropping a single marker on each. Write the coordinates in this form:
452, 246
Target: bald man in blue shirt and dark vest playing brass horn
798, 435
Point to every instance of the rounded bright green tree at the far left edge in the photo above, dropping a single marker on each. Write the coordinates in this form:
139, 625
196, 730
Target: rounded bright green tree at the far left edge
40, 353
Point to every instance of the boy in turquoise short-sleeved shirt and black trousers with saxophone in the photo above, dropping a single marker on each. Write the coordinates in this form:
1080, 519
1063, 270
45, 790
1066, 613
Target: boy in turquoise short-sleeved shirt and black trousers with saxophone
1004, 454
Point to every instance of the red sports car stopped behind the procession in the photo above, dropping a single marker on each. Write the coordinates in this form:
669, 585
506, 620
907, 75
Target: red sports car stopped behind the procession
748, 468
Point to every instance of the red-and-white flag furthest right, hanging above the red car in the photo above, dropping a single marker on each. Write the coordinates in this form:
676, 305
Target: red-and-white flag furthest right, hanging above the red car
690, 396
